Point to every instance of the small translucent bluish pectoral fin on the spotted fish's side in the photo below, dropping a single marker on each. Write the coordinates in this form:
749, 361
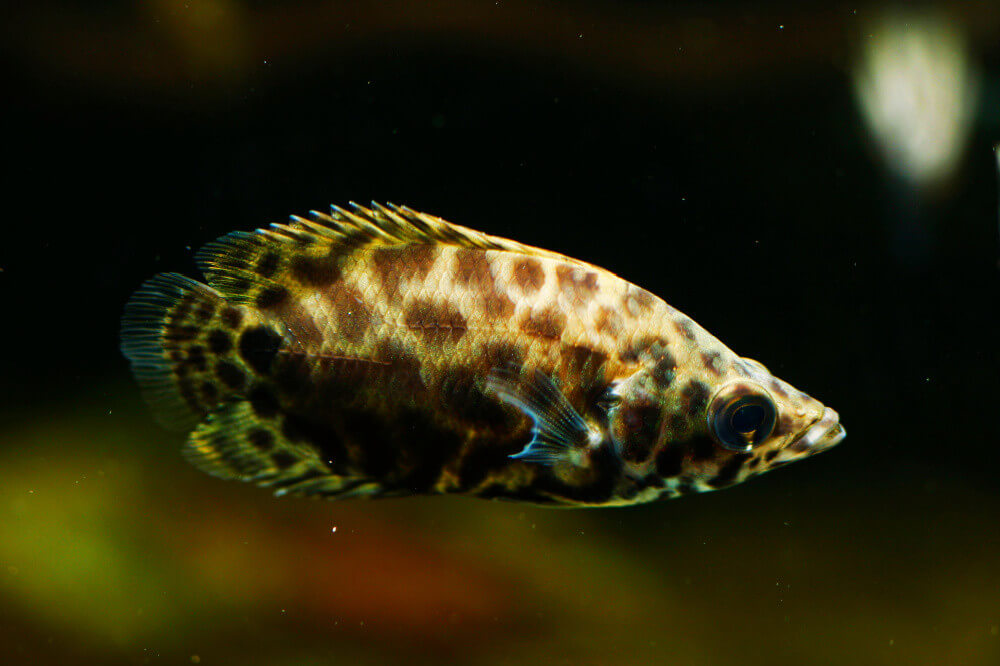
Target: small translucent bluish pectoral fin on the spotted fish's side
559, 433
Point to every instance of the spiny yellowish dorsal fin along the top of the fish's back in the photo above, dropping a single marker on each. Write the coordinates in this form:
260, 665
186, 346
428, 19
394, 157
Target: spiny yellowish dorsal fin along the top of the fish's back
249, 266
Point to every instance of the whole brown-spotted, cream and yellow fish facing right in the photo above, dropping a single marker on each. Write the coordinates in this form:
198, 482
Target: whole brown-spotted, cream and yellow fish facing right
383, 352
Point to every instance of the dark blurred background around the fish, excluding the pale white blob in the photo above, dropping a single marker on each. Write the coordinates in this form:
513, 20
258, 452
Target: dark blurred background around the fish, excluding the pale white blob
712, 153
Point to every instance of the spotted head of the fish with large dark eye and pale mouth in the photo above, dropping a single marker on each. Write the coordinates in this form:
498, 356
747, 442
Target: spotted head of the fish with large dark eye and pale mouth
700, 418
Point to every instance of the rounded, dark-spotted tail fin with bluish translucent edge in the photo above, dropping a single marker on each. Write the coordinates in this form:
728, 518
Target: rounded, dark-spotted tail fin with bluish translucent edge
184, 342
